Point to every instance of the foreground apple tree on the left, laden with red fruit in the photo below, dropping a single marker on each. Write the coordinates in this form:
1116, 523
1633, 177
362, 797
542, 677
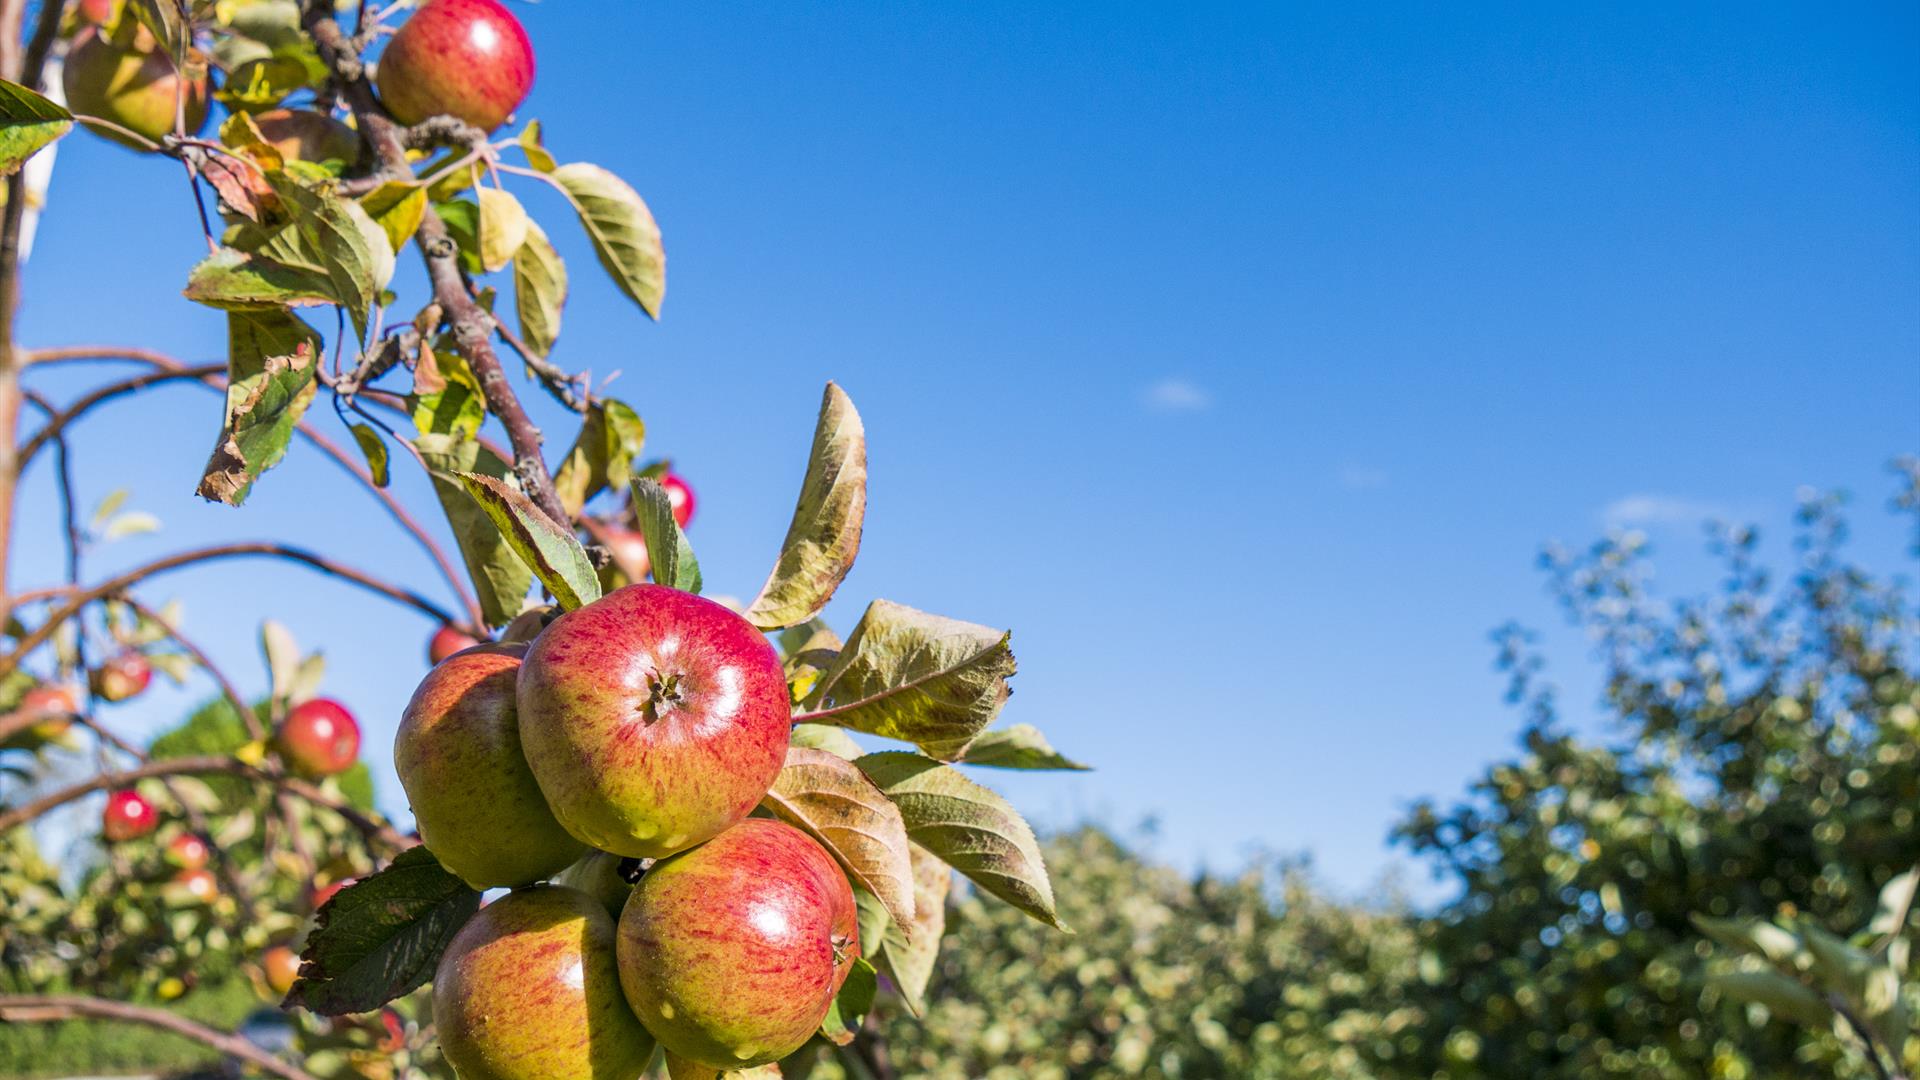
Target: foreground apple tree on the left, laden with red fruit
646, 837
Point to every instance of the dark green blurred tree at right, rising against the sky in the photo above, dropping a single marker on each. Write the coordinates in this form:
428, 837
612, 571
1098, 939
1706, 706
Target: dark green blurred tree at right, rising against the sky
1762, 762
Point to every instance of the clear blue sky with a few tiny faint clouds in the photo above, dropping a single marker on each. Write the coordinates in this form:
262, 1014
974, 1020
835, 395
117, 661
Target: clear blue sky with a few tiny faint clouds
1239, 360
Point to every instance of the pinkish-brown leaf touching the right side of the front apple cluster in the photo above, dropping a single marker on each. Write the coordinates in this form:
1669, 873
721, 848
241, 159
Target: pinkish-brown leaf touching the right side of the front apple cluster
838, 806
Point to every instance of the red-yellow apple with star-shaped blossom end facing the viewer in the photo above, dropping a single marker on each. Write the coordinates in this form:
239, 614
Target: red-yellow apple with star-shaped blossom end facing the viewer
652, 720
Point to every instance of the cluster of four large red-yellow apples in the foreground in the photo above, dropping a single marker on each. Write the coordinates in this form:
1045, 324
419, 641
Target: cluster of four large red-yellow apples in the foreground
633, 733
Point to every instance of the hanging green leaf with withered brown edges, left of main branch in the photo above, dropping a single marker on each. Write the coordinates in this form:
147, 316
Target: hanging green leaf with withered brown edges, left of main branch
272, 368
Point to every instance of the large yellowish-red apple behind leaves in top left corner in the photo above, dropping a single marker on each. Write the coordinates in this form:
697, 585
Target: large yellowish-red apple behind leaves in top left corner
132, 87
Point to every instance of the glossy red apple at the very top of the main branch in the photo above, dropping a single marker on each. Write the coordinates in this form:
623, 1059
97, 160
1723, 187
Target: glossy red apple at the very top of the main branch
466, 59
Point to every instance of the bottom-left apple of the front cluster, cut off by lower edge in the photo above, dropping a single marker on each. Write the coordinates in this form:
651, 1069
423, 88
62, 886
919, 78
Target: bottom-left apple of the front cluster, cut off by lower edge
529, 991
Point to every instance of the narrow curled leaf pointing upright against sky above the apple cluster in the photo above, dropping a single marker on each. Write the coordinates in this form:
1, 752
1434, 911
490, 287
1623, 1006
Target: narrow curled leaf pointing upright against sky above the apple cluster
825, 535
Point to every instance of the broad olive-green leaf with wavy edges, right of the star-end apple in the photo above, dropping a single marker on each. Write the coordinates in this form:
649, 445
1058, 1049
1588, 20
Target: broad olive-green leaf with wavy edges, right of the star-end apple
915, 677
